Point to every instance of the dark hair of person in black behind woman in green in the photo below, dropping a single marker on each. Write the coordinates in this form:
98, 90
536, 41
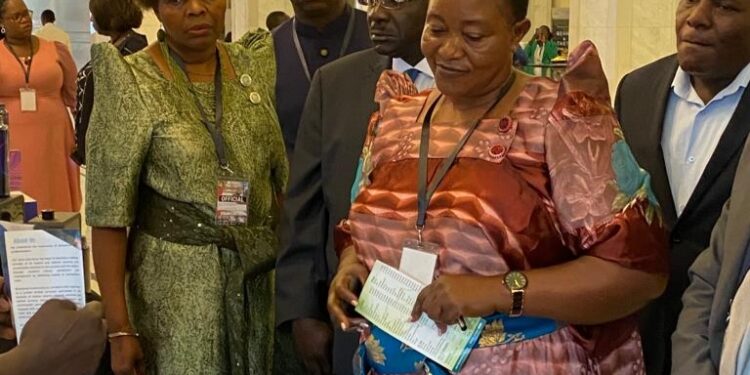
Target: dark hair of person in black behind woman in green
116, 15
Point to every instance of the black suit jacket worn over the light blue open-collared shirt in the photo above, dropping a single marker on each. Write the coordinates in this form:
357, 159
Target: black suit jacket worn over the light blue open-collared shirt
641, 103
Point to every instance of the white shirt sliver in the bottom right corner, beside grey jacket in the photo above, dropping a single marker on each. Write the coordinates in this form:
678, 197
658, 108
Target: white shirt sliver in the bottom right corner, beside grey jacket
735, 353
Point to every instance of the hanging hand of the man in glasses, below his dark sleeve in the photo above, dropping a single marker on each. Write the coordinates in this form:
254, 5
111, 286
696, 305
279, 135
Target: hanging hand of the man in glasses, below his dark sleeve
313, 340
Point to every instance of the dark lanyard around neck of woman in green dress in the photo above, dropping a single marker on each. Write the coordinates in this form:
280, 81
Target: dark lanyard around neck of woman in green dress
215, 128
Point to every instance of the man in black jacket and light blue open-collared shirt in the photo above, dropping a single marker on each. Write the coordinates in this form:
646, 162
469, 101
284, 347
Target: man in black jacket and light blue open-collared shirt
686, 118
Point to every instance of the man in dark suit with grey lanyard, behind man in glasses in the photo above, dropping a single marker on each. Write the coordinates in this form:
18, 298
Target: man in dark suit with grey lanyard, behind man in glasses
321, 31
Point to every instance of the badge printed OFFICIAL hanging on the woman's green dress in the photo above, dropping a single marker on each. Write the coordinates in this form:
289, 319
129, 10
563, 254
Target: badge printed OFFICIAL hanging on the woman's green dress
232, 197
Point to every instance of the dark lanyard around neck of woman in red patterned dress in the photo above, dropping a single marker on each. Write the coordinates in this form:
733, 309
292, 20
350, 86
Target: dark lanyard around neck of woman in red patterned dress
426, 192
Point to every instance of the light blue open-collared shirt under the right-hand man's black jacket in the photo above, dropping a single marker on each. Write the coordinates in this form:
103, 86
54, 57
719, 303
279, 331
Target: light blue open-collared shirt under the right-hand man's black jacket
692, 130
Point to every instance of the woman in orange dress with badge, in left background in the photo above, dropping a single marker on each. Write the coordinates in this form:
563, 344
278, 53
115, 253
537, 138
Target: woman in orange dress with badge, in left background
45, 73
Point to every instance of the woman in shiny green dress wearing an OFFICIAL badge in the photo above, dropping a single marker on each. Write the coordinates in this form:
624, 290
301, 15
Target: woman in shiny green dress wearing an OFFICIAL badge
185, 150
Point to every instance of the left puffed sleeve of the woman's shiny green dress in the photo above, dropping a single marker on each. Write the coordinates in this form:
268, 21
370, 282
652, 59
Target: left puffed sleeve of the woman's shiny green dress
118, 140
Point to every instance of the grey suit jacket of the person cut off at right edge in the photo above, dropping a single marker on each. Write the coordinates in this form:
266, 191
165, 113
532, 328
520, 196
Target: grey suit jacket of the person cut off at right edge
715, 277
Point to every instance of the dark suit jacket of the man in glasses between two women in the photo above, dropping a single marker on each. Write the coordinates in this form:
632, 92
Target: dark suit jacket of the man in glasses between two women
329, 143
